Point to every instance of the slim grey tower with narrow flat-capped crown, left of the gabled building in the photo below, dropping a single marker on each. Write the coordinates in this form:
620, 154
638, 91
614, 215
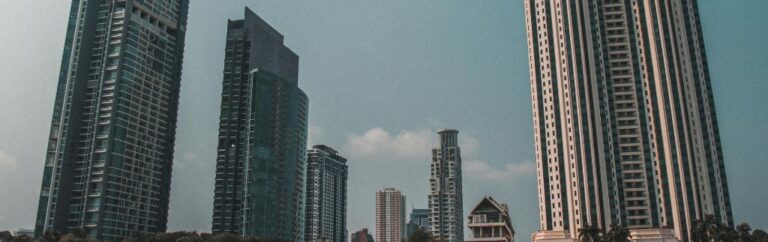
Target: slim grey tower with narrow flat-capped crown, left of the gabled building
445, 197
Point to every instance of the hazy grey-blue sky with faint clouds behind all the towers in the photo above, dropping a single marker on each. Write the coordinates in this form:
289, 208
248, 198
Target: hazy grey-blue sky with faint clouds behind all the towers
382, 77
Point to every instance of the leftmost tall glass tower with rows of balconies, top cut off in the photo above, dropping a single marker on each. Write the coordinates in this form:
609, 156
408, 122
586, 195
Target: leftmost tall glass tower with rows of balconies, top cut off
110, 149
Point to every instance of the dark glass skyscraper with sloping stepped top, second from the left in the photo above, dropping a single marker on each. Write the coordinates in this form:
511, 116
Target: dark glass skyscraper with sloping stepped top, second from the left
261, 158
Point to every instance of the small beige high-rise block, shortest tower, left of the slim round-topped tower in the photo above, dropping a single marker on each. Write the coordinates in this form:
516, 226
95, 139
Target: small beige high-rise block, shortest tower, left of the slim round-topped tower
390, 215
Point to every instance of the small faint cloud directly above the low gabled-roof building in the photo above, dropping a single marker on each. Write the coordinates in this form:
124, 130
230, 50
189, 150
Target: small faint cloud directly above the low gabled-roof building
483, 170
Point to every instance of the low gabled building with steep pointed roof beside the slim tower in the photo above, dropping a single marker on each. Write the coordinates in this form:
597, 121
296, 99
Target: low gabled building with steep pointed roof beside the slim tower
489, 221
